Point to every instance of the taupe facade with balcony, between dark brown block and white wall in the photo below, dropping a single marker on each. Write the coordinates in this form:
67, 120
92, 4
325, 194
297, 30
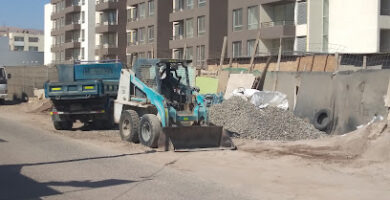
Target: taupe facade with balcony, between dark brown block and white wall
273, 20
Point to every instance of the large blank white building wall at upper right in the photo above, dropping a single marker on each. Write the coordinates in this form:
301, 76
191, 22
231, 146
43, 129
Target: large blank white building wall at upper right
353, 25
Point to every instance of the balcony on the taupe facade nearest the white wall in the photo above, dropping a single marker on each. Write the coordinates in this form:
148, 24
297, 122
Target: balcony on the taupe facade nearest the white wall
277, 29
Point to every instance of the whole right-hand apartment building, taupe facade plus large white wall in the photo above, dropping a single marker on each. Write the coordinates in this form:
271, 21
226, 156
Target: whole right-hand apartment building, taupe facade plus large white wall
308, 25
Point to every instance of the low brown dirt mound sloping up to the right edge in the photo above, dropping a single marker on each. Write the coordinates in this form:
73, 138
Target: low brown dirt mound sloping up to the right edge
370, 143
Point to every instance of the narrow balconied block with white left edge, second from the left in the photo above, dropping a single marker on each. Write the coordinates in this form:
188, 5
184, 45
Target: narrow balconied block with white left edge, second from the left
111, 30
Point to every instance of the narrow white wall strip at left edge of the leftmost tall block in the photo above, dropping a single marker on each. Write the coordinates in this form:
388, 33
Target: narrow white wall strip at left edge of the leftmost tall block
48, 56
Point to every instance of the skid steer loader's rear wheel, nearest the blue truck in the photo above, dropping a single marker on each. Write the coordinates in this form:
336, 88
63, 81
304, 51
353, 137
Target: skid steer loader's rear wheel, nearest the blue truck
128, 126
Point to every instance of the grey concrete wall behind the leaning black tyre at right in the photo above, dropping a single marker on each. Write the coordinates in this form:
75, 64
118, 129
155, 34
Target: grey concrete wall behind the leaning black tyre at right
353, 98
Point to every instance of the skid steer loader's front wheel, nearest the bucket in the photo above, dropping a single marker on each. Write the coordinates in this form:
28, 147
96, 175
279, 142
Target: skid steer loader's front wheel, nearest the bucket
149, 130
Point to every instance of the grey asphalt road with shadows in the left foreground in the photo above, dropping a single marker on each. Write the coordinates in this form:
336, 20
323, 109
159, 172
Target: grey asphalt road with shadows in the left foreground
35, 164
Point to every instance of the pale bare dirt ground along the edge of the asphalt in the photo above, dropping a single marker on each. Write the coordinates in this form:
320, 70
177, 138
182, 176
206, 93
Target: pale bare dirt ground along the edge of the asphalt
351, 166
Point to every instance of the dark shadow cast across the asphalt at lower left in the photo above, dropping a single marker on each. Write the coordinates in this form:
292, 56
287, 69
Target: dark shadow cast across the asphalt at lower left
14, 185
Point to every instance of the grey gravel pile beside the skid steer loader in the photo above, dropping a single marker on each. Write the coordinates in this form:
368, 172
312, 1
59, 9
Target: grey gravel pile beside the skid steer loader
247, 121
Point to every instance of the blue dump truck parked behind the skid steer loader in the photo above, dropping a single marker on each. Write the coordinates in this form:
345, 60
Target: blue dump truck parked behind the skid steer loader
85, 92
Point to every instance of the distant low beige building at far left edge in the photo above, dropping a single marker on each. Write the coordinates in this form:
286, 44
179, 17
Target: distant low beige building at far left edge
23, 39
